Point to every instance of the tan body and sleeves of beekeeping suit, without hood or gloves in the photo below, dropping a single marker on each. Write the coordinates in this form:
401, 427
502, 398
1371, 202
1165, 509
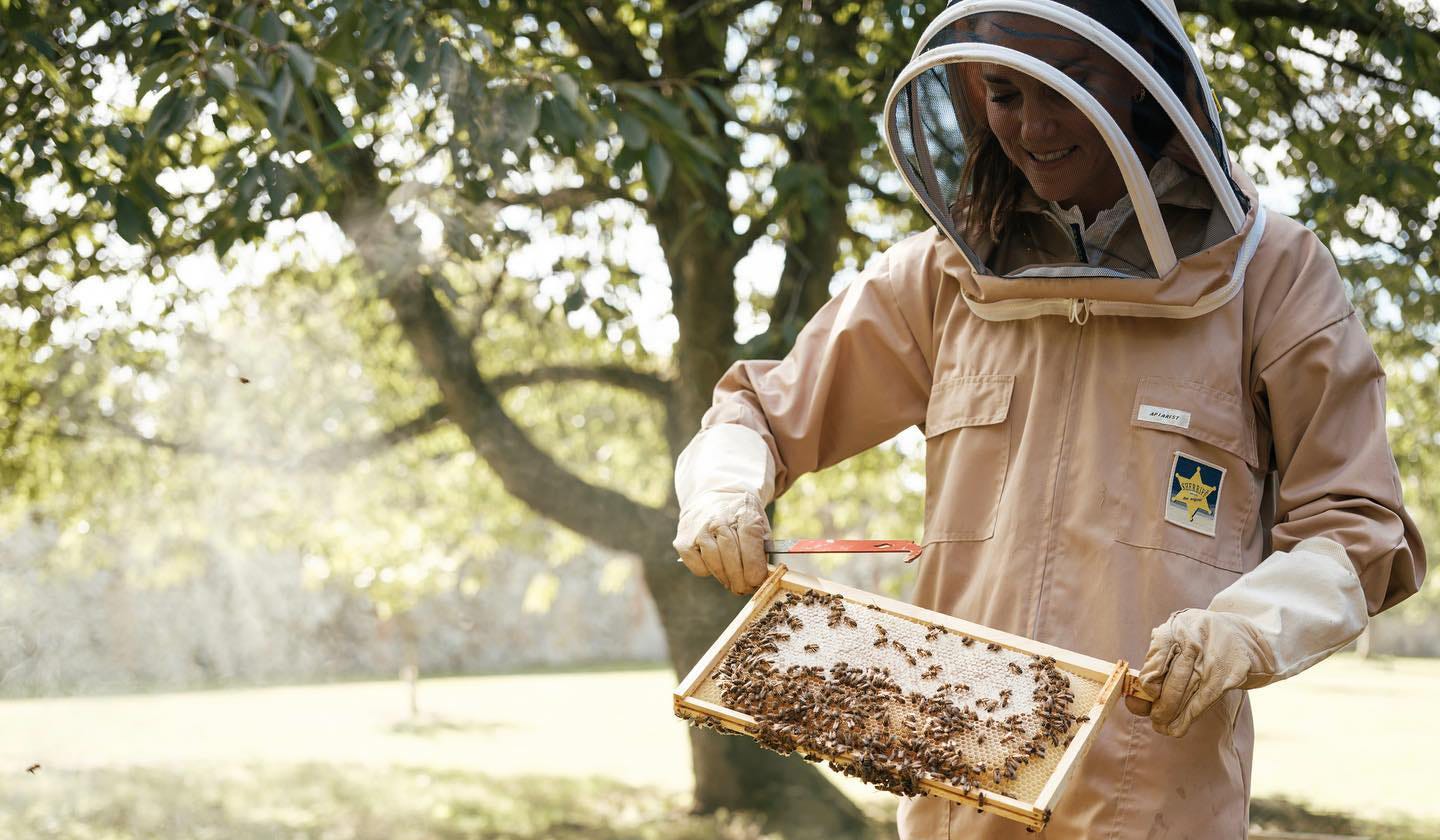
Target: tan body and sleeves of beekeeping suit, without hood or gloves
1052, 446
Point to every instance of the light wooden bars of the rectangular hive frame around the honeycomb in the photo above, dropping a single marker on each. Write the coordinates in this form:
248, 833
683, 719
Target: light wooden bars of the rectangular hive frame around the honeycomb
1115, 678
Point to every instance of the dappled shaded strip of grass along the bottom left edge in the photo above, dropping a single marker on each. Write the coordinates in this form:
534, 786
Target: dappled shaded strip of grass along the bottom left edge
329, 803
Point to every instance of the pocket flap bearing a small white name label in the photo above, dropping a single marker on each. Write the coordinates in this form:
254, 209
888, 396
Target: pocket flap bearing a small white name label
1197, 411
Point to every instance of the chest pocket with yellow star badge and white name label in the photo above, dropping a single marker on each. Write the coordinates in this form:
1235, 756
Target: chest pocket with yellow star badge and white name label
1190, 475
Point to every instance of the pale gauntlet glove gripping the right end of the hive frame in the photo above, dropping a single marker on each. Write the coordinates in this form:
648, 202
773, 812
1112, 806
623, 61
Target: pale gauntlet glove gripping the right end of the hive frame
1294, 610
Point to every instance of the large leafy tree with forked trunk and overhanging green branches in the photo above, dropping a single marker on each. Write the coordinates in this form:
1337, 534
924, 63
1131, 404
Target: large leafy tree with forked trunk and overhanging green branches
716, 125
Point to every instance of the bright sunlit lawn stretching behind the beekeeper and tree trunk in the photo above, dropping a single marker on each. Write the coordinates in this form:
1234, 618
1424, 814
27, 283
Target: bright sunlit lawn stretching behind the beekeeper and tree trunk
512, 757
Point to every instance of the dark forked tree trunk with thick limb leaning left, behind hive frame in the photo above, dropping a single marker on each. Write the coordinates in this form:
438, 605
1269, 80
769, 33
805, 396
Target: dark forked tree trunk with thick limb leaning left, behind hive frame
731, 773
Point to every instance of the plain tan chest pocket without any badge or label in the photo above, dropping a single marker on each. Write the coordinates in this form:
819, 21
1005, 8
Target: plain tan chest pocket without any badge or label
967, 455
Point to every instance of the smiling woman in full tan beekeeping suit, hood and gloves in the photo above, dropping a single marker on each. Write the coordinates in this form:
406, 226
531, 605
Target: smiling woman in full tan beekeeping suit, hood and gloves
1156, 427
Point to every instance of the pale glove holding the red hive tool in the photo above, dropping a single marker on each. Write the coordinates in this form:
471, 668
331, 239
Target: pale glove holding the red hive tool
724, 481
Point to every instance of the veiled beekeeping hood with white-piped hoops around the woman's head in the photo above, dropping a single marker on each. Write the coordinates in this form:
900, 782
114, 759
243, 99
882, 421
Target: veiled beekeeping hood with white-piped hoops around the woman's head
1074, 155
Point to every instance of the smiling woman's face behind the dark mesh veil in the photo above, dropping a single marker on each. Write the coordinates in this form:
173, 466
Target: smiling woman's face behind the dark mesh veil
1053, 143
